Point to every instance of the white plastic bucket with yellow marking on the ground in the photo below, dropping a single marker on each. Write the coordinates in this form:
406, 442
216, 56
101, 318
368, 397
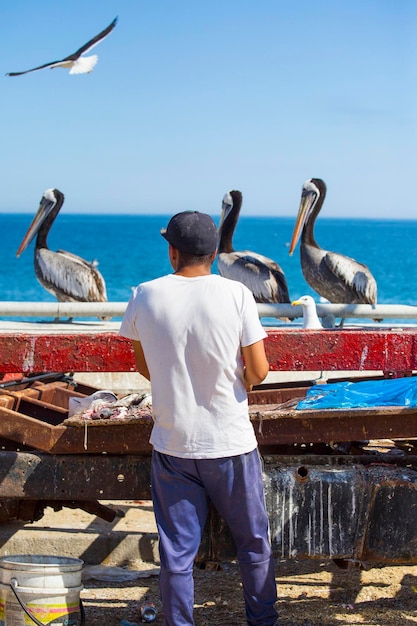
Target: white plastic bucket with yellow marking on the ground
40, 589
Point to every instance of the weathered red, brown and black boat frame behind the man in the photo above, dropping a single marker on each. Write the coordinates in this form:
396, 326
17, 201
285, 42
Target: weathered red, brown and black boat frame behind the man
357, 507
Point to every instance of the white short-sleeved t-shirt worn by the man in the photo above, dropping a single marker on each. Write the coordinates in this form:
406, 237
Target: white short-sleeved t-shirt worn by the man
192, 331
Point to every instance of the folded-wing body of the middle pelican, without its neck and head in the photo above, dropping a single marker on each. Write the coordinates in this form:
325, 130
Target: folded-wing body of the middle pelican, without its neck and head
262, 276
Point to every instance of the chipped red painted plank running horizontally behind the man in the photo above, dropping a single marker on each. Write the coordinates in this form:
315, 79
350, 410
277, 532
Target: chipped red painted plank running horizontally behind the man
388, 350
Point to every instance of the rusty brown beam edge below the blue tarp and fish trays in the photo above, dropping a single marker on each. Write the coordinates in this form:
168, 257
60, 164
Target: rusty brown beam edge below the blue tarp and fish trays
272, 427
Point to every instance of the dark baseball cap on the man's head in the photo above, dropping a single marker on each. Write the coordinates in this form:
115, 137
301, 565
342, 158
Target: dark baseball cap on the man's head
191, 232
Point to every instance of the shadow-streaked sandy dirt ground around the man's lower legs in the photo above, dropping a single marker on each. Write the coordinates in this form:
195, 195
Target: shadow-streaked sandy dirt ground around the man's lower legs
311, 593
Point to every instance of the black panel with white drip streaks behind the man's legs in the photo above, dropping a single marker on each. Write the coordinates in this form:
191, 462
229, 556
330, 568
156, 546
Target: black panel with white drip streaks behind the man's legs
355, 514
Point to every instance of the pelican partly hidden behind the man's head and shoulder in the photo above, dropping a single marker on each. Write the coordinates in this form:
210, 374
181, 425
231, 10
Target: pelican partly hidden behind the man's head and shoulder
261, 275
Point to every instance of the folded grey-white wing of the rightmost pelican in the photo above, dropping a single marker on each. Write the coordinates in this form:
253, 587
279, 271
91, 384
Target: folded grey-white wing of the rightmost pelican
354, 275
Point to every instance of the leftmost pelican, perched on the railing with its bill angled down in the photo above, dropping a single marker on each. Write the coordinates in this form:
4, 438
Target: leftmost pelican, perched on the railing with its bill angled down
65, 275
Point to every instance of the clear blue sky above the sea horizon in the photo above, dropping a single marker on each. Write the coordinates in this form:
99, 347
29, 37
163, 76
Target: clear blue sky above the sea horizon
191, 98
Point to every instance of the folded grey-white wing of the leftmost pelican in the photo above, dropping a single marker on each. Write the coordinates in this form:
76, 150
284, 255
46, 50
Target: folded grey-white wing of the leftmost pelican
70, 276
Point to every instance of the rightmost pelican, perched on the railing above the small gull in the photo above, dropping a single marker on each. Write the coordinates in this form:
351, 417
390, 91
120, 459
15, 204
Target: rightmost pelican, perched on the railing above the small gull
336, 277
